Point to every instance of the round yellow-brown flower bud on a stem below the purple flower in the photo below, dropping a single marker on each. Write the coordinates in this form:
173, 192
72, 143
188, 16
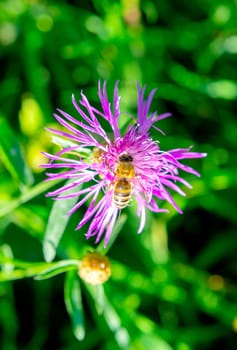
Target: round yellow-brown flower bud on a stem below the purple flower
94, 268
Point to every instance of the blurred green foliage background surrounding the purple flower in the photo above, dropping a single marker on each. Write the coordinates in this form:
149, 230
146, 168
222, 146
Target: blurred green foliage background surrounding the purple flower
174, 286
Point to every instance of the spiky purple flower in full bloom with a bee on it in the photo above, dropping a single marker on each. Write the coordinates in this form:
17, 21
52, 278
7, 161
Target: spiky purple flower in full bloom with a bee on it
111, 172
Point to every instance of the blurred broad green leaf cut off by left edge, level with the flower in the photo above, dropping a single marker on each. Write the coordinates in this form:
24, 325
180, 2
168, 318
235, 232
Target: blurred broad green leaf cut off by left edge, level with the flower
12, 155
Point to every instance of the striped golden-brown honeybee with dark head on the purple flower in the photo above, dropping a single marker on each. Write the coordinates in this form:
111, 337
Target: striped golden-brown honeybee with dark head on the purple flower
122, 187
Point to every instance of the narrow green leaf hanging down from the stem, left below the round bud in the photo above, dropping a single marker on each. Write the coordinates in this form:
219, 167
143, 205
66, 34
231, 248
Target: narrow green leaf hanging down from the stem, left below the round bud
72, 295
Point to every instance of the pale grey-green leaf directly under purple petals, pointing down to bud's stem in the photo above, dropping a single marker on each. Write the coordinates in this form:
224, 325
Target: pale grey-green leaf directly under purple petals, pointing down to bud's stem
57, 223
